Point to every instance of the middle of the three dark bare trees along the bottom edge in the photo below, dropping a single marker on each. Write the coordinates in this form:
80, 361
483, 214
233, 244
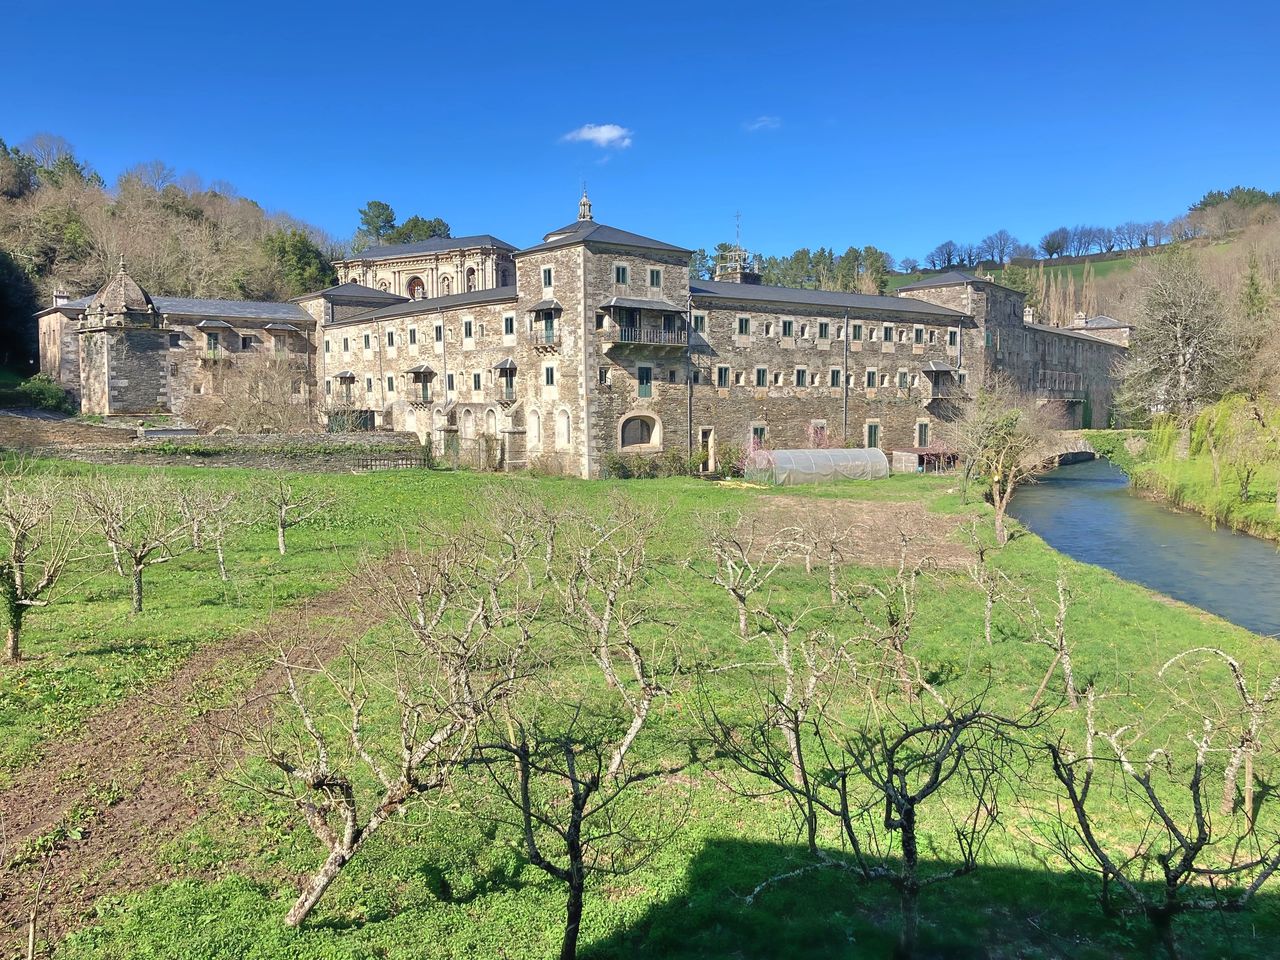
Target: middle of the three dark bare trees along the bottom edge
871, 769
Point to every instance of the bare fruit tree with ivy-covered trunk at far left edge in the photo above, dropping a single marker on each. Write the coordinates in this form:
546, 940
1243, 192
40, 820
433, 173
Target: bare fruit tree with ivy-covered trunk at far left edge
42, 537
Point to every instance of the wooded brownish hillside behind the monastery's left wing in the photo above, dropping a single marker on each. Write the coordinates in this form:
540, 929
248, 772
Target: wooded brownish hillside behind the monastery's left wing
63, 227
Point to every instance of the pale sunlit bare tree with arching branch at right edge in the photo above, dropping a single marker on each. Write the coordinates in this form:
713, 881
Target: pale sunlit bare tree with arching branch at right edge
1247, 717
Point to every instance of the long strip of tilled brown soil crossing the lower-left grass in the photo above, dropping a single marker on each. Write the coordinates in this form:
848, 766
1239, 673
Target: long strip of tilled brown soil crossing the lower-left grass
100, 806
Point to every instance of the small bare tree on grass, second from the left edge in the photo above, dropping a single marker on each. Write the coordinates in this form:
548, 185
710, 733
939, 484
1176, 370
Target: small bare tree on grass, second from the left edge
141, 523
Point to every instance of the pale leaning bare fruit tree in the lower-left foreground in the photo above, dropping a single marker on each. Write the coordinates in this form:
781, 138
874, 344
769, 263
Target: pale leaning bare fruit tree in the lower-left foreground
400, 710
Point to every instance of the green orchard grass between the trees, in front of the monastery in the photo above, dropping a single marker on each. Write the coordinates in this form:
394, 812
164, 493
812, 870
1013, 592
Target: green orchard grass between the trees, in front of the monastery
452, 884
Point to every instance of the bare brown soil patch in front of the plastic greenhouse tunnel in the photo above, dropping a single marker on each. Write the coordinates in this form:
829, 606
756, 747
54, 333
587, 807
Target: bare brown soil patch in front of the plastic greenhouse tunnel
870, 533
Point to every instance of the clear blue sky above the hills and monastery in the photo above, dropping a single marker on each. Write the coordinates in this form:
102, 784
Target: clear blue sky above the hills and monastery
899, 126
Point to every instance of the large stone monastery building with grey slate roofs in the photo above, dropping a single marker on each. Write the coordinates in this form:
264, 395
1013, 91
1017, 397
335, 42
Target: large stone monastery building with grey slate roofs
591, 344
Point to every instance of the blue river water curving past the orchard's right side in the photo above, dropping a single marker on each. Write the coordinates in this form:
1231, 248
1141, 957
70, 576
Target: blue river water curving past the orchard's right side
1087, 513
